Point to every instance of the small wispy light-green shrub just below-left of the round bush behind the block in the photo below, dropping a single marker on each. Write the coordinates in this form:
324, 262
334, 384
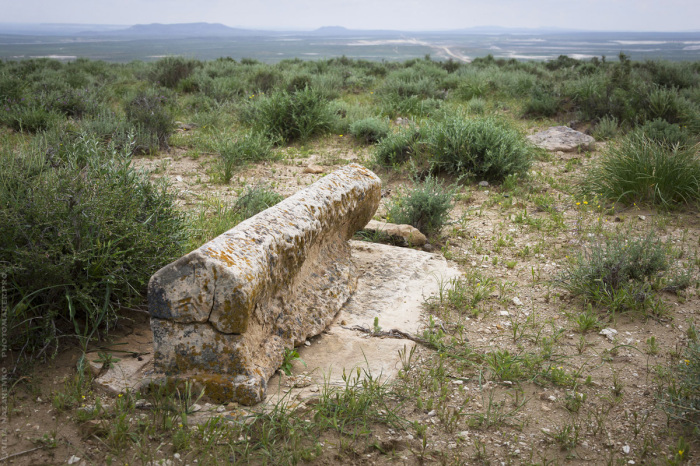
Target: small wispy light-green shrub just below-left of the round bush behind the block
235, 152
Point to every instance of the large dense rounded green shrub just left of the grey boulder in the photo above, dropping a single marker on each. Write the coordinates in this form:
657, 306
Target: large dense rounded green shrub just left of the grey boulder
486, 148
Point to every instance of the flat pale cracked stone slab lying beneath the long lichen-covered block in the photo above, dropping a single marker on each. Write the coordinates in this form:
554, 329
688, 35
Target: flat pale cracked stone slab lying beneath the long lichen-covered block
393, 284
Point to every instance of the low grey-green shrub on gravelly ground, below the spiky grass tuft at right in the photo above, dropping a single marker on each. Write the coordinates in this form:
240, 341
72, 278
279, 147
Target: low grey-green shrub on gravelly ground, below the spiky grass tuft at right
621, 272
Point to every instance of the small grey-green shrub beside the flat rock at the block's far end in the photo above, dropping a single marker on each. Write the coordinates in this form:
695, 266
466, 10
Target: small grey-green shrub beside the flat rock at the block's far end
427, 206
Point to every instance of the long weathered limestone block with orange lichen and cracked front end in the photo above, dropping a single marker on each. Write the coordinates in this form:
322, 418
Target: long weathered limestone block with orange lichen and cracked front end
224, 313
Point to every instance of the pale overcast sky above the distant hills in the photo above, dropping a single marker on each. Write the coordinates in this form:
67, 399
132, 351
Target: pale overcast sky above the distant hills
637, 15
